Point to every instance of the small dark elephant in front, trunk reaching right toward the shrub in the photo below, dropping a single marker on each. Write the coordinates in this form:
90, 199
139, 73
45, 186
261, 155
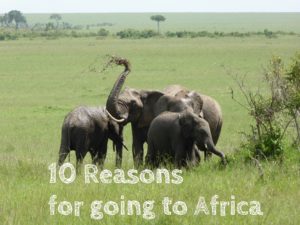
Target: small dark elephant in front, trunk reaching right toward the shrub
172, 136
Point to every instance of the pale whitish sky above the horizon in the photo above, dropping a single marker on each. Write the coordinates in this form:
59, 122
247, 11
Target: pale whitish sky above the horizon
69, 6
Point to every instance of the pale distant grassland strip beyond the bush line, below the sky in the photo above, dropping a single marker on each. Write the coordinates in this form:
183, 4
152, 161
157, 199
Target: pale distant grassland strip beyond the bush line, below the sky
226, 22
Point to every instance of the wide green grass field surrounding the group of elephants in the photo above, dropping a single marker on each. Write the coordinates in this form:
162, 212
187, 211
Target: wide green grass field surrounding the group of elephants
42, 80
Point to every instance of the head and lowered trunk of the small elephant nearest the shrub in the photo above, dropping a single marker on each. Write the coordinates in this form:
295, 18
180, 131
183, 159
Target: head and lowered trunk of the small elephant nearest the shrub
197, 128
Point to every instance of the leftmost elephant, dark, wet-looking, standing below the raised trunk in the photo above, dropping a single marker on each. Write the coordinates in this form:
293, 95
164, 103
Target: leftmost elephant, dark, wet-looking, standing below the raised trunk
87, 129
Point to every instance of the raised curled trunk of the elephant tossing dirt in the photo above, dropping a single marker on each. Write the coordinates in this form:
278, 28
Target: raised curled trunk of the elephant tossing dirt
112, 106
